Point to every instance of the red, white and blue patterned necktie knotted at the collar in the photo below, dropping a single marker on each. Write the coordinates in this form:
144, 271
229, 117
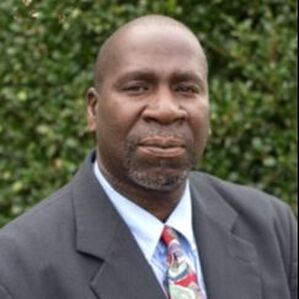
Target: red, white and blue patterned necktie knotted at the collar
181, 280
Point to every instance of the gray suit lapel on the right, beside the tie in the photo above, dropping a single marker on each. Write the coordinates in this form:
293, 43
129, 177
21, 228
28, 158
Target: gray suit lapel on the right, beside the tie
229, 263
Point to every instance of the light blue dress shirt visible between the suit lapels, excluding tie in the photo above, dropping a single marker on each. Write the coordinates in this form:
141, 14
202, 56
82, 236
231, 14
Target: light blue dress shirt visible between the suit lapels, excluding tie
147, 229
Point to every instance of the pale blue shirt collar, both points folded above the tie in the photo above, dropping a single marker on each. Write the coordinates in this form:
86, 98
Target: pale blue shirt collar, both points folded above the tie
147, 231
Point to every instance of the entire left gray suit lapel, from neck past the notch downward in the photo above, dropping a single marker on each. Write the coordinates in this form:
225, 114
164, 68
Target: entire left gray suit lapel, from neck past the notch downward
120, 269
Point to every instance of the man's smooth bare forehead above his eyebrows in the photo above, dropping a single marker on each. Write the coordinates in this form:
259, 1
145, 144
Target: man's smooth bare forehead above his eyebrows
161, 51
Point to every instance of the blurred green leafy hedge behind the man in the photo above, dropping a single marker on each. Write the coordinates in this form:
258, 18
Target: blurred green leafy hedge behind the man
47, 51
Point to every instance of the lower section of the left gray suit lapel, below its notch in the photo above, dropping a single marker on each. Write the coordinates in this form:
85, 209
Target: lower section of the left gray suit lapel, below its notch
125, 273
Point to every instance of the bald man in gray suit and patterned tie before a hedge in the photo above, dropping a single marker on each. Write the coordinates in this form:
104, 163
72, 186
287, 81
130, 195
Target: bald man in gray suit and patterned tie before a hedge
135, 222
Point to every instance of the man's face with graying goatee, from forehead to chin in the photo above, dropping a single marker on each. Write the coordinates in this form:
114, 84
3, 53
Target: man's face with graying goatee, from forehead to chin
152, 111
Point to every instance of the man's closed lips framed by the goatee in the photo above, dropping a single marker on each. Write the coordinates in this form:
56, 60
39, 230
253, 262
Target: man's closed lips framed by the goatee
160, 146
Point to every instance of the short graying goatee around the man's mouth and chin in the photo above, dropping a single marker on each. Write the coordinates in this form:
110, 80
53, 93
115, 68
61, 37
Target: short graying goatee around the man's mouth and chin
158, 173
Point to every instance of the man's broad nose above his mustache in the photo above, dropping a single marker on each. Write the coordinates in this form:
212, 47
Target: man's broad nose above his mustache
164, 108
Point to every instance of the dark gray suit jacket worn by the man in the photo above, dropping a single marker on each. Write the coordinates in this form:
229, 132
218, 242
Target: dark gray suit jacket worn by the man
74, 245
